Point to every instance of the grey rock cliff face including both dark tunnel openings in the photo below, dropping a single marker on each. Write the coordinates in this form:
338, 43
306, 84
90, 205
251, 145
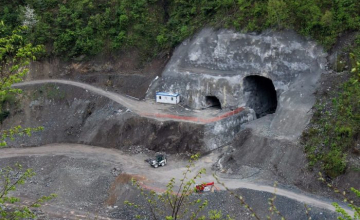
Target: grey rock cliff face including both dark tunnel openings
269, 72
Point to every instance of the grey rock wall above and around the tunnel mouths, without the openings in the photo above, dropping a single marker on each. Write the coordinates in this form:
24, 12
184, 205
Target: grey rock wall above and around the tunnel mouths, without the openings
216, 62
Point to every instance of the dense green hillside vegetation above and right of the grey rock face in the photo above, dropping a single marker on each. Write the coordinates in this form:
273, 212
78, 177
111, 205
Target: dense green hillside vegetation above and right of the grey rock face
78, 29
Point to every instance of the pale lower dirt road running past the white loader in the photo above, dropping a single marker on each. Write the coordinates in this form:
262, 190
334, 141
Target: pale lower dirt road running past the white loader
153, 178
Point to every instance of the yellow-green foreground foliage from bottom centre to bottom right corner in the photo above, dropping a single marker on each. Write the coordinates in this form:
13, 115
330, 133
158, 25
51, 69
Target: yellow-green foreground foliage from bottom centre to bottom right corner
179, 203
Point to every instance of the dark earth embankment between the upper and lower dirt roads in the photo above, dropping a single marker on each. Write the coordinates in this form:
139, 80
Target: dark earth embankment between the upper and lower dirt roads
73, 115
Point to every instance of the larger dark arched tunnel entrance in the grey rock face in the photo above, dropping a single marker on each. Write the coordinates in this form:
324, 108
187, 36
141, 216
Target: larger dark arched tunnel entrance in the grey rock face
261, 95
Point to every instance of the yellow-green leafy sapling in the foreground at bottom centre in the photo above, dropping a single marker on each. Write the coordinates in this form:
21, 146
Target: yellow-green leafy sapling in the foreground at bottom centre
179, 203
